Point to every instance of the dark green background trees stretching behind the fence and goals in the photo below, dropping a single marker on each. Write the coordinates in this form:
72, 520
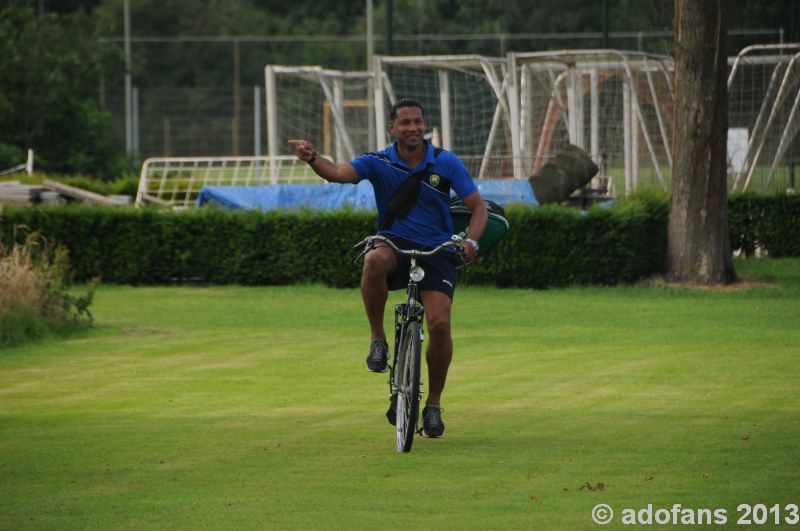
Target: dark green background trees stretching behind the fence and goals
61, 62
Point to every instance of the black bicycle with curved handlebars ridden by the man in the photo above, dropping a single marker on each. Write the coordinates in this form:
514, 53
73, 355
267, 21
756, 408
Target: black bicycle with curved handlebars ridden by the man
405, 393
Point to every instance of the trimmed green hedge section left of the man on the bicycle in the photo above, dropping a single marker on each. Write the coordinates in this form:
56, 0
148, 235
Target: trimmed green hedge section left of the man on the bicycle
212, 245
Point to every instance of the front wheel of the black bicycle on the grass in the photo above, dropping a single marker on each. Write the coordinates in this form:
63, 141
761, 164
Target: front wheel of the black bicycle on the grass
407, 380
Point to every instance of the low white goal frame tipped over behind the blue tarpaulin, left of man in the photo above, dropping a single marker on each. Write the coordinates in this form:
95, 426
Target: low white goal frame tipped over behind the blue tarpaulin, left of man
175, 182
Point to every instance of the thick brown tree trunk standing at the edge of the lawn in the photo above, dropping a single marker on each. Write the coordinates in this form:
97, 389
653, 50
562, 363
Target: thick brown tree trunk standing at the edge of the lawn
698, 246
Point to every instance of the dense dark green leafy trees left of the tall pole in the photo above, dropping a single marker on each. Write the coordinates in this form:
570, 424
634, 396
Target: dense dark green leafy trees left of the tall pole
51, 66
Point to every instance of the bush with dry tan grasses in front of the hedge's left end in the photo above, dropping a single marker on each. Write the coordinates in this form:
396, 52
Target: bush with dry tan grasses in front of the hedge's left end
34, 292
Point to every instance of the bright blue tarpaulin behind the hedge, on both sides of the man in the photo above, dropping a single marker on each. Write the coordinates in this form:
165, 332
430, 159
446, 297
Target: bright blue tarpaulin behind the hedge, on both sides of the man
335, 196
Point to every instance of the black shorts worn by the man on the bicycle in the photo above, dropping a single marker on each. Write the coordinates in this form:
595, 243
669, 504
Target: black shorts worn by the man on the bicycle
440, 269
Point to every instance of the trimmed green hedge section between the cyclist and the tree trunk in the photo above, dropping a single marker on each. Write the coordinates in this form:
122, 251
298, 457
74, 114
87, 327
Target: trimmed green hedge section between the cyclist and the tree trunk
556, 246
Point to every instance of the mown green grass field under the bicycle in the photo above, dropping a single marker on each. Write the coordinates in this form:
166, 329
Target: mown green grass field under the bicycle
228, 407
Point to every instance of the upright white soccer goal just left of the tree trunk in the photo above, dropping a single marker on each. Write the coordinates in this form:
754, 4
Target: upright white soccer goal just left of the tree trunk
617, 106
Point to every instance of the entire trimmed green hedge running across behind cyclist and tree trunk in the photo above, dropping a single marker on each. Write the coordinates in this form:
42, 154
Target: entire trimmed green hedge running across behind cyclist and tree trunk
545, 247
